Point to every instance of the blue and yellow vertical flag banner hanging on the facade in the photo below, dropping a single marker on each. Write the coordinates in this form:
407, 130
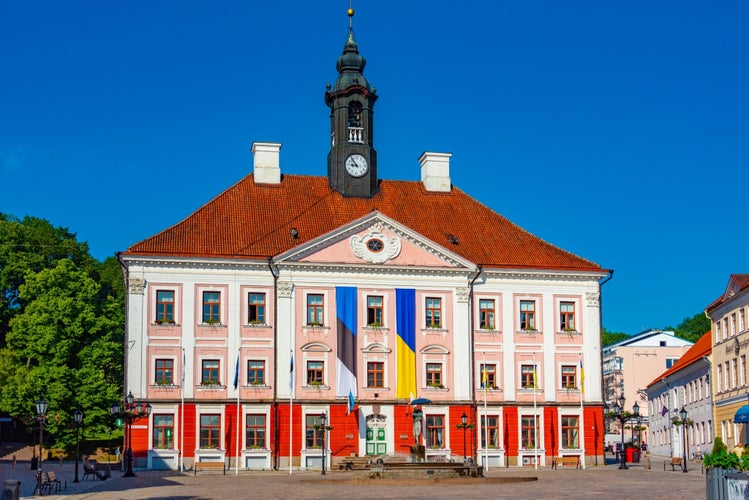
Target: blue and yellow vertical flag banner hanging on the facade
405, 326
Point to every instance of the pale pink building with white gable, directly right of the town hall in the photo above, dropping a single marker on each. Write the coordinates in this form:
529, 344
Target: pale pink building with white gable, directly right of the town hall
629, 365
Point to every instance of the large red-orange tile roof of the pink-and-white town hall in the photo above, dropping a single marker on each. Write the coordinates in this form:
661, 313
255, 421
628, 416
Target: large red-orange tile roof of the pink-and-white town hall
251, 220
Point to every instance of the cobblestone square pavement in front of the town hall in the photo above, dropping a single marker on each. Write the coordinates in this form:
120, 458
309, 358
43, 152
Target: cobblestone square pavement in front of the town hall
607, 482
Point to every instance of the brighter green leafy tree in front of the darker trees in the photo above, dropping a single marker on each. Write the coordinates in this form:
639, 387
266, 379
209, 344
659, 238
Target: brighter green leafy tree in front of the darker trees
65, 344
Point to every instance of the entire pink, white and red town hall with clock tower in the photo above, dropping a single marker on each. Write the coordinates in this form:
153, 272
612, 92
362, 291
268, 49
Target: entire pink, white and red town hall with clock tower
348, 288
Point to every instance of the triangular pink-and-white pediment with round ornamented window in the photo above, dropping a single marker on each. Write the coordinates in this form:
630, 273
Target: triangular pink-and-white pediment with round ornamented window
376, 240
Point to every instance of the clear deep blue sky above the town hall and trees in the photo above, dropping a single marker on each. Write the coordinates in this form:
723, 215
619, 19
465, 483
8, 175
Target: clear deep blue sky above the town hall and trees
615, 130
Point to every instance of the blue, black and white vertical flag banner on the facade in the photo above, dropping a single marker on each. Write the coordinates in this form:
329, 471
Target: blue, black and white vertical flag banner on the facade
346, 301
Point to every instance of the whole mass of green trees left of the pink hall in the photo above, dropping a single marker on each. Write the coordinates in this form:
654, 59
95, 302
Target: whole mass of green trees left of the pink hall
63, 330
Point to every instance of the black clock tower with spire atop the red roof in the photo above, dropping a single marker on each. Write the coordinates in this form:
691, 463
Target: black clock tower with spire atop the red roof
352, 160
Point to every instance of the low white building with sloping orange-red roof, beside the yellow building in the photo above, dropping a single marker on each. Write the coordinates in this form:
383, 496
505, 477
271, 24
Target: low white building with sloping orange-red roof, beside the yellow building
685, 385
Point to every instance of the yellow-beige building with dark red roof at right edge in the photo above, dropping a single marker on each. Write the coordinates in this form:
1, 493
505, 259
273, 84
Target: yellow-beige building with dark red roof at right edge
728, 315
